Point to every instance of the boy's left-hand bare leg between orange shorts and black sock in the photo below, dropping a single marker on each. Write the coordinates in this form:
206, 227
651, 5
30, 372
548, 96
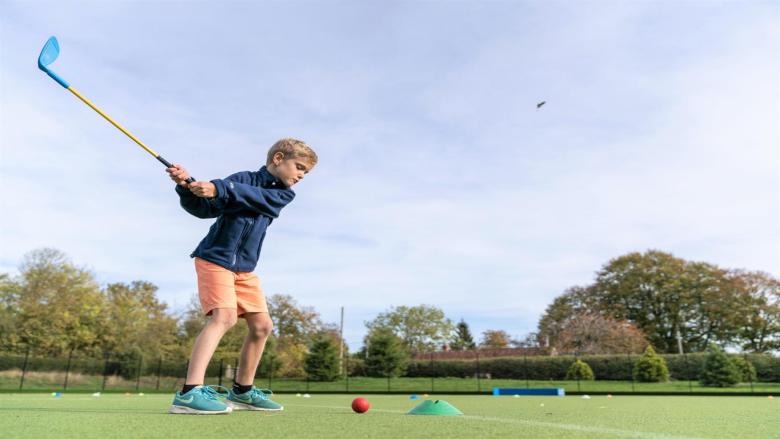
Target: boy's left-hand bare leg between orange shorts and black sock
221, 320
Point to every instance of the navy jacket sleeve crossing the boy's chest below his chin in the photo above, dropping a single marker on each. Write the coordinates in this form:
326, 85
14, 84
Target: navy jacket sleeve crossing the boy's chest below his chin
234, 196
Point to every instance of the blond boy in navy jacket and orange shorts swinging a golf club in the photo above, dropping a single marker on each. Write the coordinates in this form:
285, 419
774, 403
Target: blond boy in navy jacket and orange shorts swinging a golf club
244, 204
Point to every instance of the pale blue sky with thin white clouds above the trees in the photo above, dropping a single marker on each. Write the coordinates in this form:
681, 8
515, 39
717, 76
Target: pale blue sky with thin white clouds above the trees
439, 180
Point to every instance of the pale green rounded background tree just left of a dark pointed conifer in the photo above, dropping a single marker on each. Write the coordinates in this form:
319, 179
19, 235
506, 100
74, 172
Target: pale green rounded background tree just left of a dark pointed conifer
421, 328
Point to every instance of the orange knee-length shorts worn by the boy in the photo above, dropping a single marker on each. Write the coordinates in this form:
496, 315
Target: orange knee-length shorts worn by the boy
219, 287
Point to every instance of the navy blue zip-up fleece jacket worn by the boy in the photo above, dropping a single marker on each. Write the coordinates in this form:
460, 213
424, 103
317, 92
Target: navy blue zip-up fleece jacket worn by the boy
245, 205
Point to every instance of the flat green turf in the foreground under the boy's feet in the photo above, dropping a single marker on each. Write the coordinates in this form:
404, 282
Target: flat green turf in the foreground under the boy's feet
326, 416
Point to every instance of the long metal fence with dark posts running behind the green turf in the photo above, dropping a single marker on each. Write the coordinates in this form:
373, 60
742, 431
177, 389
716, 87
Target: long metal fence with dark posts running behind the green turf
468, 374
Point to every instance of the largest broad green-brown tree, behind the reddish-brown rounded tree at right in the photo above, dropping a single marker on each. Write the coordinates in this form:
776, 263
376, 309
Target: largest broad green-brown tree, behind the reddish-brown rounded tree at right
662, 295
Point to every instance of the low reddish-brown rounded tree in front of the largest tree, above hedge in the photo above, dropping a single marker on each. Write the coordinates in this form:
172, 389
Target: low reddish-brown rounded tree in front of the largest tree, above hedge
594, 334
